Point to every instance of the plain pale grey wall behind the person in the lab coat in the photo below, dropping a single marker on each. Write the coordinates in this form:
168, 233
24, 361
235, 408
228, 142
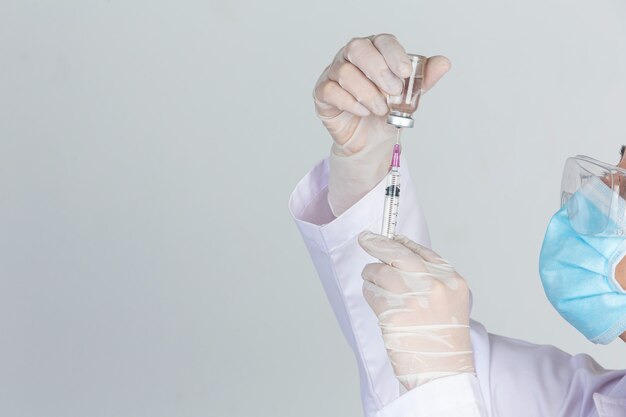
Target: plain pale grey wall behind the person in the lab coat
148, 264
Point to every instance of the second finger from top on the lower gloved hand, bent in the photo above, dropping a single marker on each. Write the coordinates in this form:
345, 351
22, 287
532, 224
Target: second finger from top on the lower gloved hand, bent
393, 280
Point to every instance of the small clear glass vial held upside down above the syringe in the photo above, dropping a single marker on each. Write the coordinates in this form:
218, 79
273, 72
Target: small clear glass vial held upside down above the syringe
404, 105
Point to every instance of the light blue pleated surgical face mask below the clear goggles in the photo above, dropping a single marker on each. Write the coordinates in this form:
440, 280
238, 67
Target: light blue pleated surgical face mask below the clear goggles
578, 270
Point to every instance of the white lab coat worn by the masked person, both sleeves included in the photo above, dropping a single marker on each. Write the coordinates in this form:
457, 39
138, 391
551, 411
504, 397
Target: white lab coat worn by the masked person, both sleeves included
514, 378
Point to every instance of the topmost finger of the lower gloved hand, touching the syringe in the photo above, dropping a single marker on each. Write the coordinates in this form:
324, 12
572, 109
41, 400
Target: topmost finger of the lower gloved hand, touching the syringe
391, 252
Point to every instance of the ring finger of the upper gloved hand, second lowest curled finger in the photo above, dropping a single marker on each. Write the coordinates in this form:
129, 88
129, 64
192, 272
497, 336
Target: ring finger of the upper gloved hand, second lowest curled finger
352, 79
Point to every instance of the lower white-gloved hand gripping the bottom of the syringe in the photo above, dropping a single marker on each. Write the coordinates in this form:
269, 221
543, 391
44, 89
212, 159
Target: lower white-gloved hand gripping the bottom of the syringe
422, 305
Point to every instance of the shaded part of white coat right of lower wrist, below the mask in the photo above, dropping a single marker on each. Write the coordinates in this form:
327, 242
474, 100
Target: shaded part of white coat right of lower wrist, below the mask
521, 379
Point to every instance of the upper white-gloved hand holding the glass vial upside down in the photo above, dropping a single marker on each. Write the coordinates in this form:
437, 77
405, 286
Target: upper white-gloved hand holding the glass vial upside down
350, 100
